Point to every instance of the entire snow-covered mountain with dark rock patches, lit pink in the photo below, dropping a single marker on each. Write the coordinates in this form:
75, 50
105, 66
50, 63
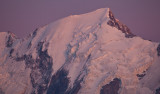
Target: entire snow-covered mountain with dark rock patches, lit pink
92, 53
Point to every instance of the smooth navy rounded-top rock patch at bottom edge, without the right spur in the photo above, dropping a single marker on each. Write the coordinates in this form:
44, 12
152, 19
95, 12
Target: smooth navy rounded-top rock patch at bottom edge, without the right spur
59, 83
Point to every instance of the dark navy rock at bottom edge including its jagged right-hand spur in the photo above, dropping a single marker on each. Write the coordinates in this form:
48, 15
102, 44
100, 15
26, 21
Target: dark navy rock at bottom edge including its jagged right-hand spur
60, 84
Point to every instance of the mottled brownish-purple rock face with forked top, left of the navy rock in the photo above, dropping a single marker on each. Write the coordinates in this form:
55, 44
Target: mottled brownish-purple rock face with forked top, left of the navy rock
41, 69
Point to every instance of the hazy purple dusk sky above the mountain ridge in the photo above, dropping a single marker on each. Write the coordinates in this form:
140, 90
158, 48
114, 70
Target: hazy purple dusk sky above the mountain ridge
23, 16
